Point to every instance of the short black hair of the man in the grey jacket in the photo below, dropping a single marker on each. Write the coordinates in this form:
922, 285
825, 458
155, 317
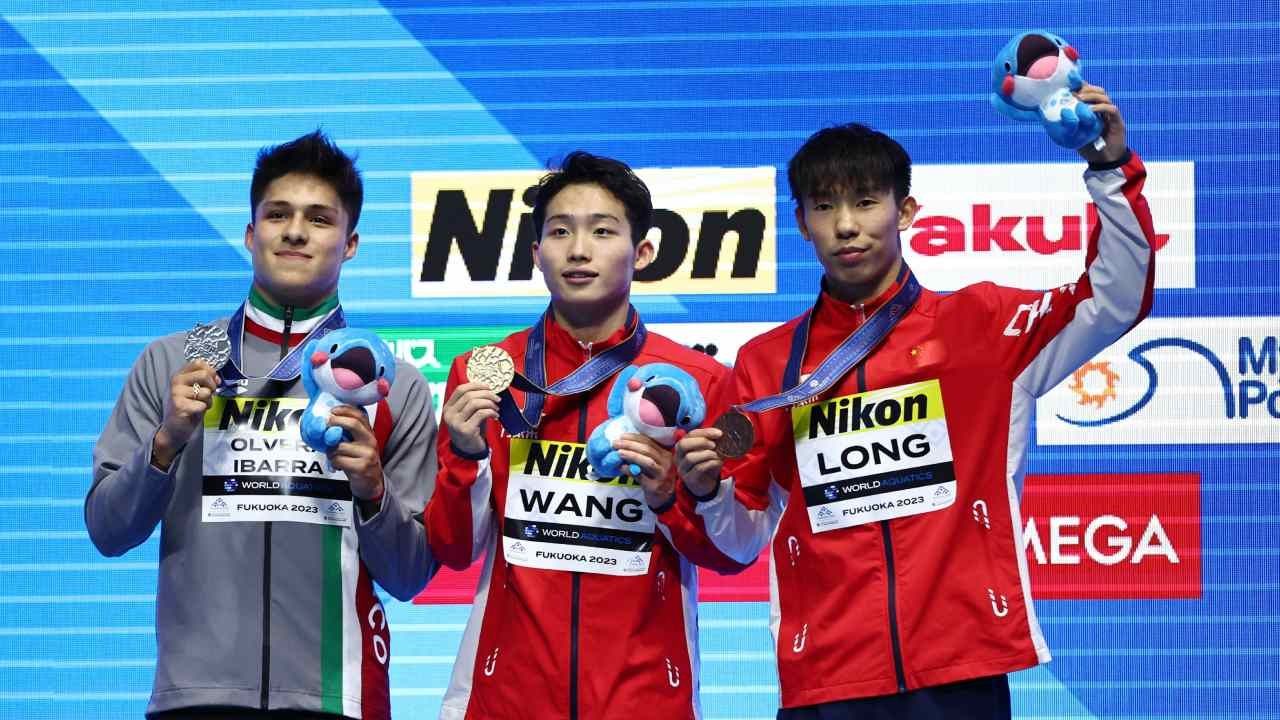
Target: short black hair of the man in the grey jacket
313, 154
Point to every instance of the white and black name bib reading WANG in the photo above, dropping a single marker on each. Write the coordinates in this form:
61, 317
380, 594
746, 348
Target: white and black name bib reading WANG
560, 520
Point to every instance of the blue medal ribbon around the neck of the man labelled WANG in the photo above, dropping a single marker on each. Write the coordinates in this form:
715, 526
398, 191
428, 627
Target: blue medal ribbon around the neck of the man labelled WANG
583, 379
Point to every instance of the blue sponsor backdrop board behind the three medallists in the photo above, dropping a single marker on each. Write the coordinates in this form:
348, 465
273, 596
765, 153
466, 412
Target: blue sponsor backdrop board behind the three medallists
129, 134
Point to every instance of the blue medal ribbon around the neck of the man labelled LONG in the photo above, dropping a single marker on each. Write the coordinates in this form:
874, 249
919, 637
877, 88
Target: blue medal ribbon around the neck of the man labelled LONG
852, 352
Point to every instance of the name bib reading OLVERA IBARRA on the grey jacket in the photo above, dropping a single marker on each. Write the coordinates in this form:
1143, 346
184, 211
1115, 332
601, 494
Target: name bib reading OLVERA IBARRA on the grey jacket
258, 468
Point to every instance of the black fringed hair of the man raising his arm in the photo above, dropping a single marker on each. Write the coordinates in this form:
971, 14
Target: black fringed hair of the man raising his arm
849, 158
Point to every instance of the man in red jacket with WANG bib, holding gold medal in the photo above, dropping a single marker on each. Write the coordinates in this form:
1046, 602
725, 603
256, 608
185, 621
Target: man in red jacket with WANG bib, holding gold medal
586, 608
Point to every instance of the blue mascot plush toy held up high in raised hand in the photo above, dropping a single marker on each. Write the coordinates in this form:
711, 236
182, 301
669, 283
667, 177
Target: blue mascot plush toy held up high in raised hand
1034, 79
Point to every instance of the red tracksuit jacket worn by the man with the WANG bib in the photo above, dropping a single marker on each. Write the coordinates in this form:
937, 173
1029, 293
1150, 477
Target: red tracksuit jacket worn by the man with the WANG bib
552, 642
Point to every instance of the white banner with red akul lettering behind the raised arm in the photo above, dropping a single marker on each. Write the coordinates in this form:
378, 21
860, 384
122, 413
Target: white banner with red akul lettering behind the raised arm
1028, 225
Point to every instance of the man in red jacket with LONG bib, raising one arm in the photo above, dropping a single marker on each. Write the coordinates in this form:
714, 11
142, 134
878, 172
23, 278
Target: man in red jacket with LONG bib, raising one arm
895, 412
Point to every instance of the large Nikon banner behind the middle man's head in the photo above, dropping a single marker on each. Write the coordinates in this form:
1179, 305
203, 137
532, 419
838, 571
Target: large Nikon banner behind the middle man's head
715, 231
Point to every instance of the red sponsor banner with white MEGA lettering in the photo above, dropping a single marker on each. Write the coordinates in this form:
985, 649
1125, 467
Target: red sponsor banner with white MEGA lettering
1113, 536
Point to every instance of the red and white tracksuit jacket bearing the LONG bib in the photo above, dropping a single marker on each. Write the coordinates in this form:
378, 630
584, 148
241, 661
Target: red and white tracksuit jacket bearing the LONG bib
898, 564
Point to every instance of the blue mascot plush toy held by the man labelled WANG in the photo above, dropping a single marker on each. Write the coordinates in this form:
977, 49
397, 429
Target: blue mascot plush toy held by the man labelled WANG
655, 400
